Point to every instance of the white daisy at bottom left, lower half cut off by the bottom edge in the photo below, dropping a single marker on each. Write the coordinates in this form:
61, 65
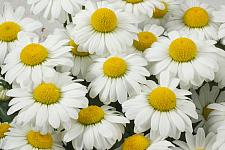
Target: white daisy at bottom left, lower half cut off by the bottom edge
28, 138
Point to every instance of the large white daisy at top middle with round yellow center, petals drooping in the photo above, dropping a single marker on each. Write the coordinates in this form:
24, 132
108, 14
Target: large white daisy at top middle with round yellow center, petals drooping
102, 28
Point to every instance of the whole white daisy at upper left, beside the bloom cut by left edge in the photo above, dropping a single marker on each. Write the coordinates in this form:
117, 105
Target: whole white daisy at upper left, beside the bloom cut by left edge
33, 60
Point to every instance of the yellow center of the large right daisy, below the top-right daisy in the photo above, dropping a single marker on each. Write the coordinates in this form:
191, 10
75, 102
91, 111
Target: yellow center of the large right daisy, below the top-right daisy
183, 50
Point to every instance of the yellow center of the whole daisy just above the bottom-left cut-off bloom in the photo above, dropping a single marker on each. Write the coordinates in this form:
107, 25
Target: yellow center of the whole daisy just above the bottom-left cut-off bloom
46, 93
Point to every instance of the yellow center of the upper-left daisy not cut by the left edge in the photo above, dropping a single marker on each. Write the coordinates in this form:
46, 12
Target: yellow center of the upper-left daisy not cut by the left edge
33, 54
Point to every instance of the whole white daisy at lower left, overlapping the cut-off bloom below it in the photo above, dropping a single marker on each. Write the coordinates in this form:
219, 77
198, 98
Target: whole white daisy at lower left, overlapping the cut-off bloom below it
54, 102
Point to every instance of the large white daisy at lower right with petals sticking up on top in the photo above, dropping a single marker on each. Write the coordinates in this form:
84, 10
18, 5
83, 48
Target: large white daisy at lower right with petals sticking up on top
162, 108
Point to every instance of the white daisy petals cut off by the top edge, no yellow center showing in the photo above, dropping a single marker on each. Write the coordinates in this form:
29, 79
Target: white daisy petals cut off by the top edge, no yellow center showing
55, 8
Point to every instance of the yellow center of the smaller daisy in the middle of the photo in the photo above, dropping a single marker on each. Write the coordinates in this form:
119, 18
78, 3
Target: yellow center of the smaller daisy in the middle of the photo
114, 67
